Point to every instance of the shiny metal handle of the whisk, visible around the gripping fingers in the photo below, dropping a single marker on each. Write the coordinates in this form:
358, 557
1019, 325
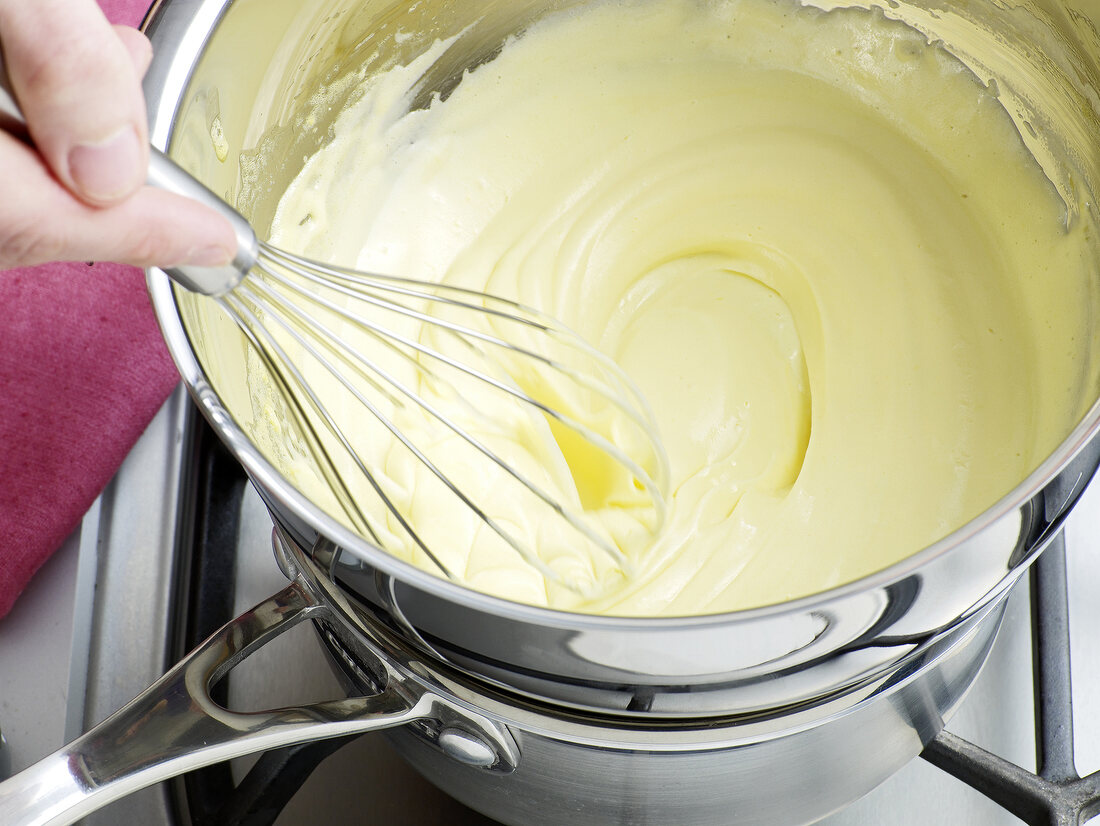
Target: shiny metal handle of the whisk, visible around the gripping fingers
164, 174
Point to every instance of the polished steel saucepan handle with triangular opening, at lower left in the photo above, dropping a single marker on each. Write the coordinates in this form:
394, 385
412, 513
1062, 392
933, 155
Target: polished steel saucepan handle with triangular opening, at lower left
175, 726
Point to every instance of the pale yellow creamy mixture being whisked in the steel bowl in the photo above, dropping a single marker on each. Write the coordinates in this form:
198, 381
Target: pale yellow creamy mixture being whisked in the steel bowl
816, 244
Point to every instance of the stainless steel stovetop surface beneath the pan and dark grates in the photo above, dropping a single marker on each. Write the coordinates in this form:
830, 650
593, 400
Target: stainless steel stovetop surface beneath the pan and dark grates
109, 614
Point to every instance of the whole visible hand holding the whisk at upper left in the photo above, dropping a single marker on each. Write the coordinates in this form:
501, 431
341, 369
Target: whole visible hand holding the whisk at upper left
80, 193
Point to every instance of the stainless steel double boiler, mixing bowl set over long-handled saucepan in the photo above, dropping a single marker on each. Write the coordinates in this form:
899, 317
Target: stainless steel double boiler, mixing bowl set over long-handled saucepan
777, 715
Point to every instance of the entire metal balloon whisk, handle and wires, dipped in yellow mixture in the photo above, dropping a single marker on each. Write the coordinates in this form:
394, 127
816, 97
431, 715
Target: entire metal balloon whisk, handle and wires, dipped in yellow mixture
439, 370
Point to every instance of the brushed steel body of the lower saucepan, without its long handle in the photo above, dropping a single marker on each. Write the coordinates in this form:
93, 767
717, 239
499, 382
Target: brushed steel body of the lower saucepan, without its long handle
542, 764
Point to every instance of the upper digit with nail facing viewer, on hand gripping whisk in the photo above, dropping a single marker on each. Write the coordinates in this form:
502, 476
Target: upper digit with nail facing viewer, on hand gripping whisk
81, 94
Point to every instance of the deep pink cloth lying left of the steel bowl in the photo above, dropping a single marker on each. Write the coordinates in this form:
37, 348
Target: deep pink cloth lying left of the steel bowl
83, 370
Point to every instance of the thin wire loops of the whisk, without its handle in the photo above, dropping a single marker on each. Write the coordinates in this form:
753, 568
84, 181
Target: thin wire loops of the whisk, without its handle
296, 315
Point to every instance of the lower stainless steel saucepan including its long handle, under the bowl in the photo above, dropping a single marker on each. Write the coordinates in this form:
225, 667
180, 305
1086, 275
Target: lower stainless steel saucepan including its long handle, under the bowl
521, 762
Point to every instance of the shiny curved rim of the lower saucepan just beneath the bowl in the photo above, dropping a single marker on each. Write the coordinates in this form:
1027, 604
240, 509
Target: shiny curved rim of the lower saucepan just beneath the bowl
366, 655
